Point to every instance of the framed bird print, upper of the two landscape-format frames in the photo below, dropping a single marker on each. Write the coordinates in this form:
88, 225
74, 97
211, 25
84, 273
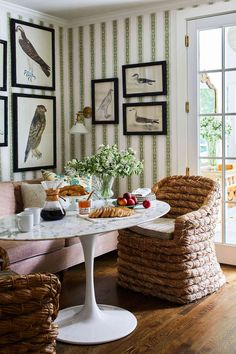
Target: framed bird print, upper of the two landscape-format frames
146, 79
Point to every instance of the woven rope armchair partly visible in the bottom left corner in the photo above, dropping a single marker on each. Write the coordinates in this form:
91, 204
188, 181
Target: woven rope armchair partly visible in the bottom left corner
28, 307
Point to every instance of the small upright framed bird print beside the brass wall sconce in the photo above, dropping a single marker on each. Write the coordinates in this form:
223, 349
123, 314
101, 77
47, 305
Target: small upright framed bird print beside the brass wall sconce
105, 101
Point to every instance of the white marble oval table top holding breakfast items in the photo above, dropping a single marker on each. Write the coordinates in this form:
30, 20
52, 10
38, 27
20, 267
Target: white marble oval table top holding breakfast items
73, 225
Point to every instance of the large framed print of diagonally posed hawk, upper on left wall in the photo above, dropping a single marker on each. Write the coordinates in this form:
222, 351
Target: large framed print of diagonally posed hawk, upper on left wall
32, 55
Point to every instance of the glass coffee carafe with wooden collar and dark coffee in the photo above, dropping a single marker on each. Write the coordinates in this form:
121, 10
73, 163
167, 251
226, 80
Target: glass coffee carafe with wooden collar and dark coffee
52, 209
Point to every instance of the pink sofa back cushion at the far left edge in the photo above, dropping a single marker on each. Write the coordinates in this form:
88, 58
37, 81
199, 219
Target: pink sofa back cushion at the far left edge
7, 198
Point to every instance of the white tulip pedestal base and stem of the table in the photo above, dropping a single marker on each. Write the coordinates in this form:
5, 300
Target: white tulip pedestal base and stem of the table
91, 323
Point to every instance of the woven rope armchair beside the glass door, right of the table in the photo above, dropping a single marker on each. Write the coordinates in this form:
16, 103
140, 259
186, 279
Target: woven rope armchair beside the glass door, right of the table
184, 268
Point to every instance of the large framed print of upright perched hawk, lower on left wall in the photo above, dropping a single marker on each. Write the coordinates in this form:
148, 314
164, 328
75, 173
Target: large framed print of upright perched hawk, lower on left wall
34, 132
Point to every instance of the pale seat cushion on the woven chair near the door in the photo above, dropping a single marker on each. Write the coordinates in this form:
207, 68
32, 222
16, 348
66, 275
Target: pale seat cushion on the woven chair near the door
161, 228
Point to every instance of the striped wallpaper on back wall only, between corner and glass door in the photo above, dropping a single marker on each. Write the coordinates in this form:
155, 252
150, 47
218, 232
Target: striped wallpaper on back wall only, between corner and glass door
103, 47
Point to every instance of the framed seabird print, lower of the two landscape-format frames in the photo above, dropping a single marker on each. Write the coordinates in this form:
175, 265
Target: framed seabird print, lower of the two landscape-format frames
145, 118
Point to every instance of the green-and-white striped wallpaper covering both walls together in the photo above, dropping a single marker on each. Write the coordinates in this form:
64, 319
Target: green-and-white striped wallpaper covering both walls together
93, 51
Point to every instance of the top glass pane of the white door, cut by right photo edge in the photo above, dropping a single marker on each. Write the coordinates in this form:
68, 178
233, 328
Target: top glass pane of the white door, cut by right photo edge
230, 47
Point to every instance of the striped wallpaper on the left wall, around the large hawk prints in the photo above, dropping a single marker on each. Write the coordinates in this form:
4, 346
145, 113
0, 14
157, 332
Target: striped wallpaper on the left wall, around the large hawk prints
63, 123
